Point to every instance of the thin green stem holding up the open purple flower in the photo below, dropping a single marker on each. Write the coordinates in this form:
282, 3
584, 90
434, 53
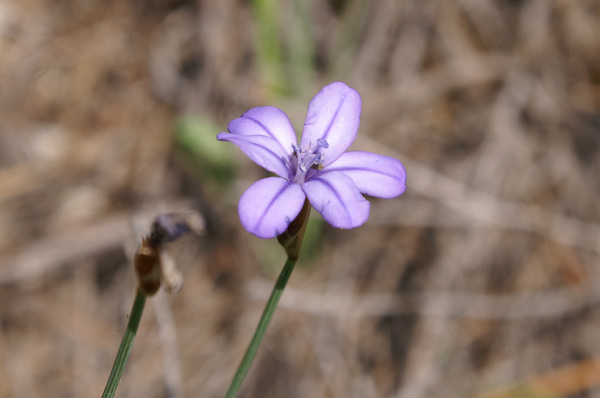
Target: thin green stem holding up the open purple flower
261, 329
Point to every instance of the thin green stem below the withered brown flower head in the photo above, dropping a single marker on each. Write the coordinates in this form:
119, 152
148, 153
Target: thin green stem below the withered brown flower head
126, 344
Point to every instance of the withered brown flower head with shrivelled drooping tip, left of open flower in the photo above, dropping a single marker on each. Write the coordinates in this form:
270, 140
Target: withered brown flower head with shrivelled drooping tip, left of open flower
153, 264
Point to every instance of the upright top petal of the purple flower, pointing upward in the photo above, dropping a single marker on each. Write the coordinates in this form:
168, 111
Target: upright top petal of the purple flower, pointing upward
333, 116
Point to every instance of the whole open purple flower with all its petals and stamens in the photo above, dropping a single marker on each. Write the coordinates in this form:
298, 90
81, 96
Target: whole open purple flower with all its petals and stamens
319, 168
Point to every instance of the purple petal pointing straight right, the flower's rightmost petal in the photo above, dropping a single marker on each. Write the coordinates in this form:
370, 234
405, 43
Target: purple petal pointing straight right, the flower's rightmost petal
373, 174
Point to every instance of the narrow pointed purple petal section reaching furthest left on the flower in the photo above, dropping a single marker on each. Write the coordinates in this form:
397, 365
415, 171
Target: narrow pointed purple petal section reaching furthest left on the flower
264, 151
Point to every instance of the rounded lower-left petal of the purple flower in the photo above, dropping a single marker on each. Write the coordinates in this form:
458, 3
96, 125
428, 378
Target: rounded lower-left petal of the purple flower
269, 206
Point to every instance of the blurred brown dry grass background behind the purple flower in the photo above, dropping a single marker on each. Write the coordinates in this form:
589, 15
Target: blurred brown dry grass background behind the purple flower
482, 280
